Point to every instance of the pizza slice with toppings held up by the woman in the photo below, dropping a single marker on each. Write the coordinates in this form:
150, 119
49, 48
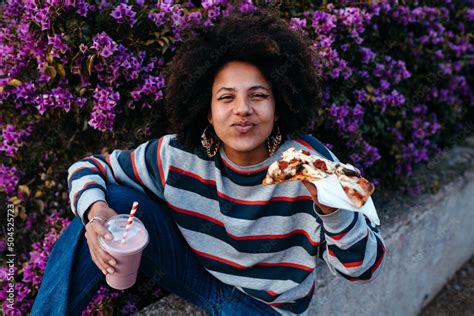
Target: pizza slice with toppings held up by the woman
298, 165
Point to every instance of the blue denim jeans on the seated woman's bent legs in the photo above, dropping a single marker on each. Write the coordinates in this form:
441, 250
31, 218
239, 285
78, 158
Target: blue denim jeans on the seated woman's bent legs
71, 278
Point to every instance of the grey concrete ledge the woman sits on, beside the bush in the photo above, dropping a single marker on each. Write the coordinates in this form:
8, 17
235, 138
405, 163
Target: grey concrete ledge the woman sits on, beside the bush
428, 239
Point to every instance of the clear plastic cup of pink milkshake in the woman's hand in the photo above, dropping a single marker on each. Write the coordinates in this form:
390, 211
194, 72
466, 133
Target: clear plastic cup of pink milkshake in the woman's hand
127, 254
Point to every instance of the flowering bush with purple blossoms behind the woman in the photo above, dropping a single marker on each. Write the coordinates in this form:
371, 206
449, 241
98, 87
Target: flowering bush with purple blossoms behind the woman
80, 75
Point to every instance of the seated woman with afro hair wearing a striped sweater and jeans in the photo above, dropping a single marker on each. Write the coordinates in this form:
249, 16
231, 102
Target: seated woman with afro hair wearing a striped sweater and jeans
238, 95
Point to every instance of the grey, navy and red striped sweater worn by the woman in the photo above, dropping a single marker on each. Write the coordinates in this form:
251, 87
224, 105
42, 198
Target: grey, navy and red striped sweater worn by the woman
265, 240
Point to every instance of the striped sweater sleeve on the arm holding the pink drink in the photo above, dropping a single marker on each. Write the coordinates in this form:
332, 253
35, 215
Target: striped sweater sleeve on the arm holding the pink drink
140, 168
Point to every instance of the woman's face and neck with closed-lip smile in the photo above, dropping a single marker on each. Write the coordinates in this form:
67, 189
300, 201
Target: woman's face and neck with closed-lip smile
242, 112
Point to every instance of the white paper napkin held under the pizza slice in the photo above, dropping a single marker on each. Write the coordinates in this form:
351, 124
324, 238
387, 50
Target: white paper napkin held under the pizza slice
331, 193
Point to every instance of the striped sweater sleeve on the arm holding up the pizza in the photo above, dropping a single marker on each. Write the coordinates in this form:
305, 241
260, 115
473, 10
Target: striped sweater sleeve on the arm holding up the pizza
354, 249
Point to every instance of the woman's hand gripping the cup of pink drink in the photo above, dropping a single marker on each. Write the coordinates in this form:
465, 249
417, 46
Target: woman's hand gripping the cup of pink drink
104, 261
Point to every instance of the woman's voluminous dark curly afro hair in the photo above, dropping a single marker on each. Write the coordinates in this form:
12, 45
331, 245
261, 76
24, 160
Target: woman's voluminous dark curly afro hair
261, 38
